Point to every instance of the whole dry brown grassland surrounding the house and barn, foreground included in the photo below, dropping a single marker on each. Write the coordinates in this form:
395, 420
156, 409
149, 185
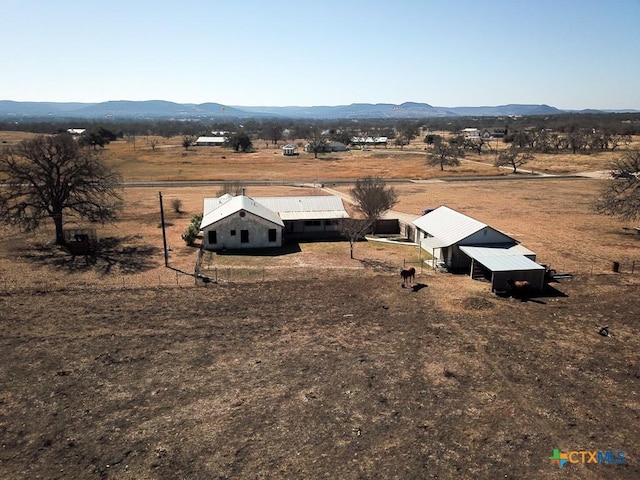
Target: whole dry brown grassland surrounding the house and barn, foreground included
309, 364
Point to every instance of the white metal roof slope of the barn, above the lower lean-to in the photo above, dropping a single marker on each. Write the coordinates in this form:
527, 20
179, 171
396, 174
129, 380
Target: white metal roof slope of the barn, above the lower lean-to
448, 226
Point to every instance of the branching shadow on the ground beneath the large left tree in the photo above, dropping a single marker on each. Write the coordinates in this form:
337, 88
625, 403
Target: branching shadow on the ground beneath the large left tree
110, 255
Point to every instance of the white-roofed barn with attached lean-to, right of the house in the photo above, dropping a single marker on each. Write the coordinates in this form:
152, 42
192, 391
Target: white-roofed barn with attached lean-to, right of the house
461, 243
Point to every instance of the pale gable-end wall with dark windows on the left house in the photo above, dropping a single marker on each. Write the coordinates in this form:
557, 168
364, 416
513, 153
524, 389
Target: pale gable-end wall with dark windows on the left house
257, 227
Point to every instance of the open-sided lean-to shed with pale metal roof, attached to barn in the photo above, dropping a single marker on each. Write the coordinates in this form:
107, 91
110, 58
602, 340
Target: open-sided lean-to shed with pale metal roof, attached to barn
502, 264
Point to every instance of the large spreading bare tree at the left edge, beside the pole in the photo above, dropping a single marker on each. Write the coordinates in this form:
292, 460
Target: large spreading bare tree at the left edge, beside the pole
51, 177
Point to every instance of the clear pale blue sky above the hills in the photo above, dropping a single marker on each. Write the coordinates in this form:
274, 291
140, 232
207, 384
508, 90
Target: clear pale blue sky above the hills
565, 53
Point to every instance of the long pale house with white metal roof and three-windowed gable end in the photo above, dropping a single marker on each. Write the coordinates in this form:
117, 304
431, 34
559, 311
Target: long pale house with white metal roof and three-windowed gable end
243, 222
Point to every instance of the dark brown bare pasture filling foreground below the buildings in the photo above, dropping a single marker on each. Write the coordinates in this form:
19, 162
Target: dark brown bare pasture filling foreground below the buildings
338, 377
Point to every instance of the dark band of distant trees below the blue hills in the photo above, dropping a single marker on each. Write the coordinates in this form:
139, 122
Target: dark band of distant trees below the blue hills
610, 127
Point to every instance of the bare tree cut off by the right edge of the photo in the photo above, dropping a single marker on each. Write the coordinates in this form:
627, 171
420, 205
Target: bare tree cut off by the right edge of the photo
621, 196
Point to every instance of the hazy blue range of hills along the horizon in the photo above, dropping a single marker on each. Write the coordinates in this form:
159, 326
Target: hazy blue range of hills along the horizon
163, 110
